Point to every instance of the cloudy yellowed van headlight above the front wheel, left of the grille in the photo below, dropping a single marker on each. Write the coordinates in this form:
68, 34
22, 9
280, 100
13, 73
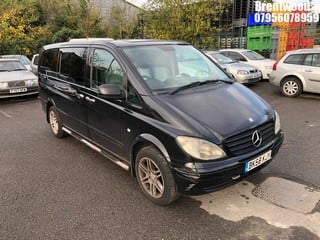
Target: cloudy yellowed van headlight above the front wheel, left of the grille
199, 148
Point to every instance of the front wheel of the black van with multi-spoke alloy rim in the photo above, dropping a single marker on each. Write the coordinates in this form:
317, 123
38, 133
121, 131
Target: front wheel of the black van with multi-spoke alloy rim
155, 177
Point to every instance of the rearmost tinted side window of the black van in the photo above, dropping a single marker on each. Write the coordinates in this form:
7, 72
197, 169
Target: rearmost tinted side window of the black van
49, 61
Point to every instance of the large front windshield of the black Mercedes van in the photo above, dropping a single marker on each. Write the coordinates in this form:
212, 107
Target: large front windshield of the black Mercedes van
164, 67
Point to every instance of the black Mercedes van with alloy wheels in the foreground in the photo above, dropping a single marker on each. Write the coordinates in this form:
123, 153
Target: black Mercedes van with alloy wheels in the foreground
159, 109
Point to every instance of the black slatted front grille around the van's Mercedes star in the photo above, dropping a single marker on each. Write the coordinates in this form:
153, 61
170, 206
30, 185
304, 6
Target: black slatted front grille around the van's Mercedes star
242, 143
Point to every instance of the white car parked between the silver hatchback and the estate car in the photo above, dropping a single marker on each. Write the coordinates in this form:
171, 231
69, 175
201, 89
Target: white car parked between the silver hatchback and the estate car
251, 57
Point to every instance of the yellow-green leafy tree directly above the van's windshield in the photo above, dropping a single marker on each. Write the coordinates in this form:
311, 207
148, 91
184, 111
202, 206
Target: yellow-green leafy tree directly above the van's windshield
187, 20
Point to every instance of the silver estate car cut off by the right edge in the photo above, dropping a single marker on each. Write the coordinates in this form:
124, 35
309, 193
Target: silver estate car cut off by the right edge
297, 71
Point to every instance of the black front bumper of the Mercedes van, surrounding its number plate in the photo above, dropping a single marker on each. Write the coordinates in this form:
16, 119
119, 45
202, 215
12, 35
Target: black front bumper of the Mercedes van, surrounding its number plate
225, 173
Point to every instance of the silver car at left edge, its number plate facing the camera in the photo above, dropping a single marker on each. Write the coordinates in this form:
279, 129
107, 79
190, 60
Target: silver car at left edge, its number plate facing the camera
16, 80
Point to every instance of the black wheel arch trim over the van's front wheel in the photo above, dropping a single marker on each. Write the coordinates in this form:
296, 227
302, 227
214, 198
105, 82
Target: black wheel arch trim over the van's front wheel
143, 140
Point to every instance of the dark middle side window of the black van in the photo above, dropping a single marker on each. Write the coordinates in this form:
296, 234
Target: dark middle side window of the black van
73, 64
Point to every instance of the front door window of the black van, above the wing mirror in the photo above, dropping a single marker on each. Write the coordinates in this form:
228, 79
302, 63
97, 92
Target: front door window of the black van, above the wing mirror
105, 69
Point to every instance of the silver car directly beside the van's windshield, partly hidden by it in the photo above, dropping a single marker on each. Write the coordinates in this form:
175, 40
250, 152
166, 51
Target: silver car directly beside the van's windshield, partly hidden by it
241, 72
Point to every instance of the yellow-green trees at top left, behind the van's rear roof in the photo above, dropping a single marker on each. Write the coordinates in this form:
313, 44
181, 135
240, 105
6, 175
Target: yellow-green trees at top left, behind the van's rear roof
26, 25
